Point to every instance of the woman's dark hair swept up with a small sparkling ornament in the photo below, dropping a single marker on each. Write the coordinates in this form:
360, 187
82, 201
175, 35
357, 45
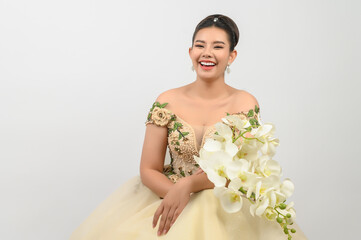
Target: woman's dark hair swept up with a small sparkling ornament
222, 22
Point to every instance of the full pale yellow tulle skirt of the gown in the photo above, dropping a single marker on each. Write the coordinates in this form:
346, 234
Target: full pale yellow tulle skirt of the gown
128, 214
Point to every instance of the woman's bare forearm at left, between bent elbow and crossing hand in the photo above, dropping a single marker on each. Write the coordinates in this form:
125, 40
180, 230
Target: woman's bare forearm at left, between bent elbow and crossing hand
156, 181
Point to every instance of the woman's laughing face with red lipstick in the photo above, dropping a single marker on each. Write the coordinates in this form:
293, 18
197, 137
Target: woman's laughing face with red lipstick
211, 46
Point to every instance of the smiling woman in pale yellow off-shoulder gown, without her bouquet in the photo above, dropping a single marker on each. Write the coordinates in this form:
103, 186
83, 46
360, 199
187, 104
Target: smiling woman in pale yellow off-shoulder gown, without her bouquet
176, 201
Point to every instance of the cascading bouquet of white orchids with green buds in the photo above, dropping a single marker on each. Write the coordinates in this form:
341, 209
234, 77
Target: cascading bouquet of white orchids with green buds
238, 160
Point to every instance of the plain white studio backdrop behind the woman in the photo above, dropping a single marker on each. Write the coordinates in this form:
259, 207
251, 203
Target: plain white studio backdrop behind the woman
77, 79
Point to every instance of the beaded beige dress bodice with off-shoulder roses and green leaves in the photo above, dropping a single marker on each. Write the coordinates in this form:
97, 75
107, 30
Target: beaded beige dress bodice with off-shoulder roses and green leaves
184, 140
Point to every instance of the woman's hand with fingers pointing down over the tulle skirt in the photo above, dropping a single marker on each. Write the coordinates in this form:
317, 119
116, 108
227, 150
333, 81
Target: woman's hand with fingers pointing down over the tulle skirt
172, 205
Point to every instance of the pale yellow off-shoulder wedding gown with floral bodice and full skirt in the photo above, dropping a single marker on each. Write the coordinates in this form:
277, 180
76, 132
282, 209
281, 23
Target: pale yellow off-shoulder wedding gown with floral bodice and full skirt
128, 212
